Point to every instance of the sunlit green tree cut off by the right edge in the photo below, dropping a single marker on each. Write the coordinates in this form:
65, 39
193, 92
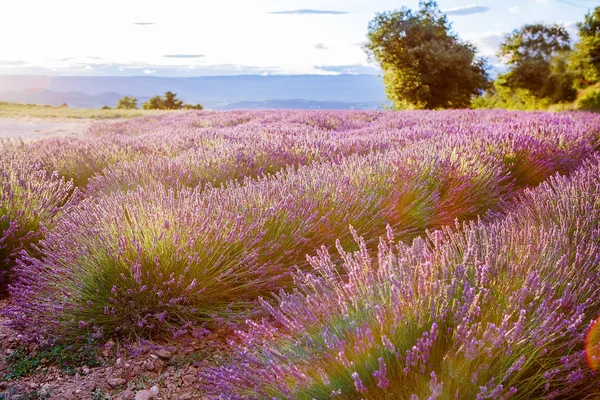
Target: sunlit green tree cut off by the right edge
585, 60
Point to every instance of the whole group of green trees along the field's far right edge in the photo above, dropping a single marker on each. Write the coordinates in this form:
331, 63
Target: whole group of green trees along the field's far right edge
426, 66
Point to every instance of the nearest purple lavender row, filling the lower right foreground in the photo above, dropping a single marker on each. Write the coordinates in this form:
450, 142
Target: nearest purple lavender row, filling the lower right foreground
498, 310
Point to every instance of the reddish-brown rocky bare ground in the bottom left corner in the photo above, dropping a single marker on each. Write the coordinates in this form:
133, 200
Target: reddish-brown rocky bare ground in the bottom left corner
143, 371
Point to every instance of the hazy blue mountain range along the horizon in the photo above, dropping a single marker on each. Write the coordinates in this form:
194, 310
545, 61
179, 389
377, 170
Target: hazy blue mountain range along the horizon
215, 92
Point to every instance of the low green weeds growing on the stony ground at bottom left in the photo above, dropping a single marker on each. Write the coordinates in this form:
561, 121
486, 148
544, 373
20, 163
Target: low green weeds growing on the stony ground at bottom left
68, 358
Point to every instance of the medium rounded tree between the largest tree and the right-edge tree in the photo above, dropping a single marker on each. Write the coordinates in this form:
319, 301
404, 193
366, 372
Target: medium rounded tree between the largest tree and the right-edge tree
530, 53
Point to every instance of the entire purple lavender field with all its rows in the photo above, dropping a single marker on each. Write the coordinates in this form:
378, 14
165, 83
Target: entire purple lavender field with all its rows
376, 255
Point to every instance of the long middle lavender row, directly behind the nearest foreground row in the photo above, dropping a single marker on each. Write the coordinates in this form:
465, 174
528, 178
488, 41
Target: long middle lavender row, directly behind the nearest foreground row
152, 260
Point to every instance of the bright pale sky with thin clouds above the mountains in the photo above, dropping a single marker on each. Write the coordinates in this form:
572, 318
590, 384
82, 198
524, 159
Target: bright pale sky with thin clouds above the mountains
232, 37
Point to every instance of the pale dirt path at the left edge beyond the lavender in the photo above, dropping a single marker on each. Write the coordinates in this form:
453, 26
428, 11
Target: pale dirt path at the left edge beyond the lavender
37, 128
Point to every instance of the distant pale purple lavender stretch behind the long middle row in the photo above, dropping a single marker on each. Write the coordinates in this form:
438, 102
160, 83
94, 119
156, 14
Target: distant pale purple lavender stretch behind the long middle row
251, 143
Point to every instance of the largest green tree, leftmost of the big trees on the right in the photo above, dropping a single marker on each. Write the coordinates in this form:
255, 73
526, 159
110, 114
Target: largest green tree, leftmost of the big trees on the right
424, 63
